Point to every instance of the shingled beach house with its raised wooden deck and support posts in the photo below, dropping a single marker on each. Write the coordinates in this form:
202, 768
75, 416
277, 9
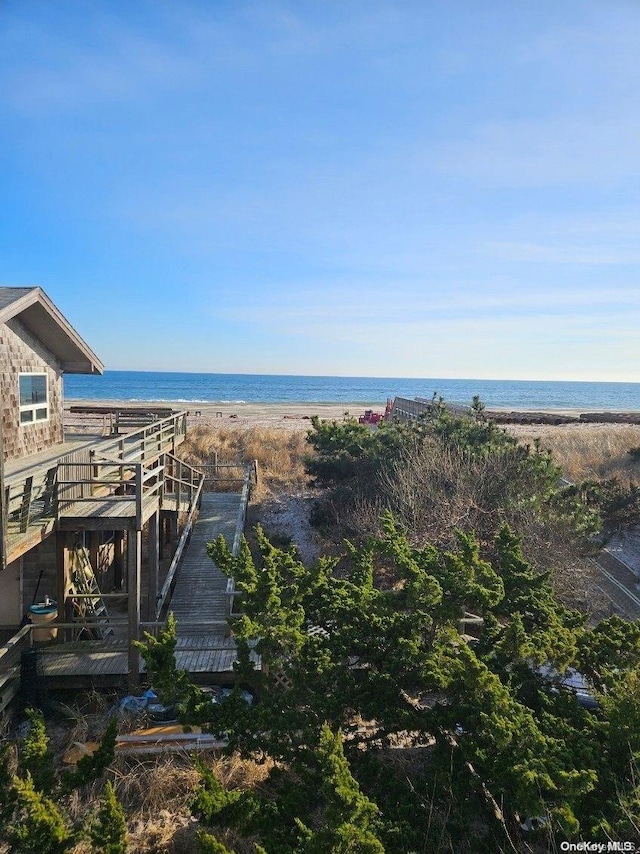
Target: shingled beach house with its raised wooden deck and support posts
73, 508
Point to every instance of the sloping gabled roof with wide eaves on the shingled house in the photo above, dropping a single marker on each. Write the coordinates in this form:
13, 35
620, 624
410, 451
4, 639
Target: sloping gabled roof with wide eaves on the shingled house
33, 308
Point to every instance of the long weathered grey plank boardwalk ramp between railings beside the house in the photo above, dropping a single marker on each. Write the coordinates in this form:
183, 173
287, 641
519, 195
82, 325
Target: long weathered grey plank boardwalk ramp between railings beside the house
199, 596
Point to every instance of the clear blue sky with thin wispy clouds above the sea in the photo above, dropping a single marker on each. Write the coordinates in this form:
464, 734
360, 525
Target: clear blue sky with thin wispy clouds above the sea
445, 189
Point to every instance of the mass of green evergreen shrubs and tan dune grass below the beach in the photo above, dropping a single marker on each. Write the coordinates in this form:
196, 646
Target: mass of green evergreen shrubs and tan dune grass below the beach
410, 751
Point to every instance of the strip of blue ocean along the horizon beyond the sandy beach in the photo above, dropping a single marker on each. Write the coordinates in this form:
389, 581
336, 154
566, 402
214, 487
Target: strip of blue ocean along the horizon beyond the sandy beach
187, 388
